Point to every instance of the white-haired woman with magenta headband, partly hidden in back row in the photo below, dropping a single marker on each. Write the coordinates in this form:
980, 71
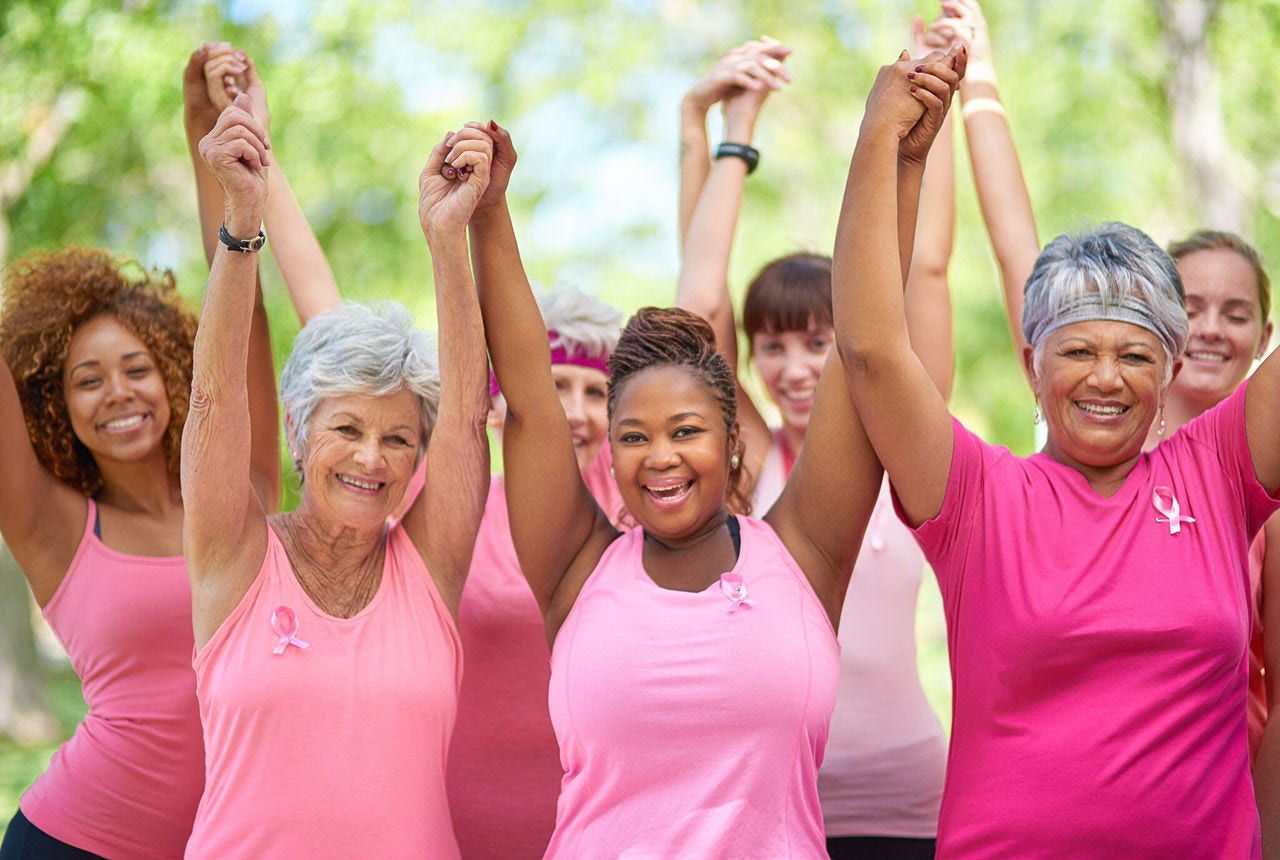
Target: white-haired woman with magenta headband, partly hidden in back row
504, 774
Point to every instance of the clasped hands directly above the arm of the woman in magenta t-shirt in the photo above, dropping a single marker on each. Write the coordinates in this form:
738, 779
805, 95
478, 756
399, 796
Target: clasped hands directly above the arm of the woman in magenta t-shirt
911, 99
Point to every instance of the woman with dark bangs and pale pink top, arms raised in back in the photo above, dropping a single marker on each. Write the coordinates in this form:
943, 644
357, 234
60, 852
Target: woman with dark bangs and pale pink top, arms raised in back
881, 780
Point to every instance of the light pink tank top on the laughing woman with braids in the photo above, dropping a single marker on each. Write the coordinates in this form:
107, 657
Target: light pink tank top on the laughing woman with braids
693, 725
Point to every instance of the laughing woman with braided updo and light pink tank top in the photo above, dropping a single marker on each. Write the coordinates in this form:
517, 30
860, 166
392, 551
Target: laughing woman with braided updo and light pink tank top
700, 635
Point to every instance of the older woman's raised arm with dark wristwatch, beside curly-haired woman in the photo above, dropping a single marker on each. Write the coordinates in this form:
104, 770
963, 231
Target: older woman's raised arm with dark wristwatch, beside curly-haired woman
225, 527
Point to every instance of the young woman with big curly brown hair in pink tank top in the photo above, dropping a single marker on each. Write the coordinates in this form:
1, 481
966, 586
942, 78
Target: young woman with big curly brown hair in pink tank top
98, 356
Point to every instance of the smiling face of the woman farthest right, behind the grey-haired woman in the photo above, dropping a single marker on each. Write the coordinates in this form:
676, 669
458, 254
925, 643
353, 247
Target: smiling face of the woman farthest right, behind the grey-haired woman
1228, 332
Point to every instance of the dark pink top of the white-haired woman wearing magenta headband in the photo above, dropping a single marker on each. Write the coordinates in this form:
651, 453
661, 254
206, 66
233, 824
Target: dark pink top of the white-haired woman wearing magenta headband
505, 771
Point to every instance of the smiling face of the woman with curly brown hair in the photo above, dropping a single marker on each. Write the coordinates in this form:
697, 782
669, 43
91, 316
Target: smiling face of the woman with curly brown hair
116, 396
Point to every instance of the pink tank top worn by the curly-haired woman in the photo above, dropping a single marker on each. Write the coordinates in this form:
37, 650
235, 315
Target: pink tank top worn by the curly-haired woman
127, 784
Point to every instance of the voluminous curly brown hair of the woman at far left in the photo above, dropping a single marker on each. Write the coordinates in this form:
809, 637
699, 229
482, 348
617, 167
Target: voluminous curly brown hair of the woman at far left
44, 299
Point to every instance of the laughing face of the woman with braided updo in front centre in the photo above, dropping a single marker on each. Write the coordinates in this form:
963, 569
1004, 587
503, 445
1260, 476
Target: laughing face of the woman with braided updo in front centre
671, 452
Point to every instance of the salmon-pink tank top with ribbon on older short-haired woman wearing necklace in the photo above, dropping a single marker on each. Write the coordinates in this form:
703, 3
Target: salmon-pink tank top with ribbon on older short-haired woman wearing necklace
326, 737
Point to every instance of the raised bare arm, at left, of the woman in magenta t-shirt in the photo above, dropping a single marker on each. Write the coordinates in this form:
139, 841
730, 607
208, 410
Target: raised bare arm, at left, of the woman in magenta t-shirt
904, 414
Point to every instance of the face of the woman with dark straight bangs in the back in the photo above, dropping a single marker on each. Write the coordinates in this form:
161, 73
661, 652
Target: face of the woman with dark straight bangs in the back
790, 364
